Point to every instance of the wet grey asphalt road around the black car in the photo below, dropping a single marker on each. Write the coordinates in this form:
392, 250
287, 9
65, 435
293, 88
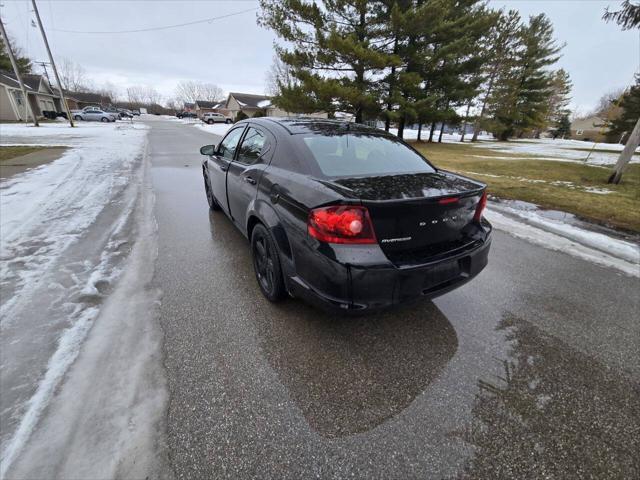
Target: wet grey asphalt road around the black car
530, 371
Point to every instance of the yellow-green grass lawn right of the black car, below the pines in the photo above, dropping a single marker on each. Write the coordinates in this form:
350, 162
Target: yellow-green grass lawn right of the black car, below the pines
554, 185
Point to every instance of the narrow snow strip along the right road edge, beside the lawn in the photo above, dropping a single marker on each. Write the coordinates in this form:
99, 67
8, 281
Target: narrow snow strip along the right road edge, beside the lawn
532, 225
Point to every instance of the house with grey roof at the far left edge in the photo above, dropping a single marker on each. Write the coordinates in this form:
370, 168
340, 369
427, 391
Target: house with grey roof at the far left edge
40, 95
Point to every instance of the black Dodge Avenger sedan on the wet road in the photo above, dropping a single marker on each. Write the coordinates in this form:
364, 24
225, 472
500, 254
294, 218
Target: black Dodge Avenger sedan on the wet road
346, 216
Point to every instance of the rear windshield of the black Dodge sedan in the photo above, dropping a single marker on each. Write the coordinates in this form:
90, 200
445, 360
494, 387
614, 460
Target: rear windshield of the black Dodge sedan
357, 154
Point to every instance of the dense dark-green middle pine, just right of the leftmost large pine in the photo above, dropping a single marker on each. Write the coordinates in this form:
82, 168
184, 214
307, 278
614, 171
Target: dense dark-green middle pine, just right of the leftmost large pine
440, 59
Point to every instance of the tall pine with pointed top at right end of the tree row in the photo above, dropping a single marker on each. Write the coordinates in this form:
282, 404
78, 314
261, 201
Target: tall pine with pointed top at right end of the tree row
519, 102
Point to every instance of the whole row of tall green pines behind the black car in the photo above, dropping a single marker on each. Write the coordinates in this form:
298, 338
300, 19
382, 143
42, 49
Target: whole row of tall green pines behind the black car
421, 62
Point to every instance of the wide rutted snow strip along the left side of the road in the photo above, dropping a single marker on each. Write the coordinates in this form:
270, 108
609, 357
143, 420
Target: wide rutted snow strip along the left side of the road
71, 231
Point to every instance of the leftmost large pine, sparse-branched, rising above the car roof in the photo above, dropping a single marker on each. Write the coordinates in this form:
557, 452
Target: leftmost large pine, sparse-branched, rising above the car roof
336, 52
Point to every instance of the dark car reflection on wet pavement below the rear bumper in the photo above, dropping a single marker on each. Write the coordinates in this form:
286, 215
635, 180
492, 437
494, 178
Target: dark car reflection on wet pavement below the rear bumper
348, 375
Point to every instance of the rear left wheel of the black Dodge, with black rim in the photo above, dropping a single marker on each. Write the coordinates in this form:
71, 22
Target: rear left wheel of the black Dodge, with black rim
266, 264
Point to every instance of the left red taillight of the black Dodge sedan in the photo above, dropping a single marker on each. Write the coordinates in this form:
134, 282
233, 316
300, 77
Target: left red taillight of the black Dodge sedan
341, 224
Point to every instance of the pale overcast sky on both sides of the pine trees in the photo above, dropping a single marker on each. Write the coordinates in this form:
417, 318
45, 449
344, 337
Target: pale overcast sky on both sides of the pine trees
235, 53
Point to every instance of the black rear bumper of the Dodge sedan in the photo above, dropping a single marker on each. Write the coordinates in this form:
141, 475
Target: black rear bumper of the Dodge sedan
354, 289
